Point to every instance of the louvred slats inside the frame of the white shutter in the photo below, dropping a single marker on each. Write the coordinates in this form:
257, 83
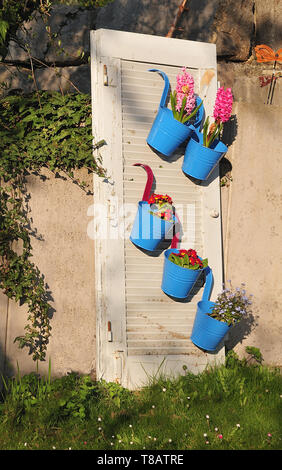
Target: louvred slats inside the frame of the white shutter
156, 324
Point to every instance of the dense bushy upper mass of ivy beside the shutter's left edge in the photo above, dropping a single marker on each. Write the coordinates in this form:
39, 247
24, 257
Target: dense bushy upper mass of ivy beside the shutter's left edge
46, 129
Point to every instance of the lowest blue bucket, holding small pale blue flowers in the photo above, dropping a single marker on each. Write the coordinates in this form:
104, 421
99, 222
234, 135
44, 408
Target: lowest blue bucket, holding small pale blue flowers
207, 332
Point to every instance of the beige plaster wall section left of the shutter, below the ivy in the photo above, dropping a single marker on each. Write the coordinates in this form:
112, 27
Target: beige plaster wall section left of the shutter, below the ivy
65, 255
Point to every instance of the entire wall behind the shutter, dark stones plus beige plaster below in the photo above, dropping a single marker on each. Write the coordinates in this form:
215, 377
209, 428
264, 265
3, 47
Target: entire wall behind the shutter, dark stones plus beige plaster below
251, 203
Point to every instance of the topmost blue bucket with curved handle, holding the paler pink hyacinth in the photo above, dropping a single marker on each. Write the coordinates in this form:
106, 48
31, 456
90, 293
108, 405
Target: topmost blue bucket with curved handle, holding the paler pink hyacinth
167, 134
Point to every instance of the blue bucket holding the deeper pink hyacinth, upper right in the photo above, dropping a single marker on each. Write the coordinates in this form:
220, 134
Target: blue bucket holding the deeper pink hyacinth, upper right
199, 161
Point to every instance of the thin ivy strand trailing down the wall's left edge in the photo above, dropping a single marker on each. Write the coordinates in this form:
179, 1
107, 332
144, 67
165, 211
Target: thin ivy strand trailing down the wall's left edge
20, 279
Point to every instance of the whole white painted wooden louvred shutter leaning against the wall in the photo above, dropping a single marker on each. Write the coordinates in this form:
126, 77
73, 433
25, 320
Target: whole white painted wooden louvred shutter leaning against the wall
148, 328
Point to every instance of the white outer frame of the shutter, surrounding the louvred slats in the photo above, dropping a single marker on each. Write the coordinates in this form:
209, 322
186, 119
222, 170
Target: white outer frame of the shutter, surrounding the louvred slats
108, 48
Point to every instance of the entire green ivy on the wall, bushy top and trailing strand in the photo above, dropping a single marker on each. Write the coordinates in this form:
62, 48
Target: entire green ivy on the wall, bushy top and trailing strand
39, 130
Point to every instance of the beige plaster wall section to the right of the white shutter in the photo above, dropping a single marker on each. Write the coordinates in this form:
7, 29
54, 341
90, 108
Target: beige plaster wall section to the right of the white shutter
253, 224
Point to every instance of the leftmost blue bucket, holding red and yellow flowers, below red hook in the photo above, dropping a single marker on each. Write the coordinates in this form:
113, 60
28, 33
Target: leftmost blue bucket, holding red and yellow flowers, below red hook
148, 230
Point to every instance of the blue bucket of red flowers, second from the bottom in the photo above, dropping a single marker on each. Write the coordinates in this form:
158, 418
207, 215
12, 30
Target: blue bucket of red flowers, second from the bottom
177, 281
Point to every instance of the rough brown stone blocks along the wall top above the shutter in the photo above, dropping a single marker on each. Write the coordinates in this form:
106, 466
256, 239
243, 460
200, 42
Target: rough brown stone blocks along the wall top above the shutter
63, 62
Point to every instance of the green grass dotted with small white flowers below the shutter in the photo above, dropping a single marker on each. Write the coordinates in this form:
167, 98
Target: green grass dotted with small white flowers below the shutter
232, 407
